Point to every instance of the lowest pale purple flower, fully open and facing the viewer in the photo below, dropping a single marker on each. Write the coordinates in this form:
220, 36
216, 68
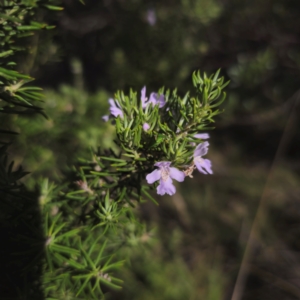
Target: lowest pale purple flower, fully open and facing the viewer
164, 174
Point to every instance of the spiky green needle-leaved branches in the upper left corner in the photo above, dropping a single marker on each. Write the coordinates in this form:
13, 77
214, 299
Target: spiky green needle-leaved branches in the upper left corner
17, 21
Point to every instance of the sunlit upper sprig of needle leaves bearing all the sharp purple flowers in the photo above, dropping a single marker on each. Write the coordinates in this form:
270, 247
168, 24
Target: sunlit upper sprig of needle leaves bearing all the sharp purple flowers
161, 131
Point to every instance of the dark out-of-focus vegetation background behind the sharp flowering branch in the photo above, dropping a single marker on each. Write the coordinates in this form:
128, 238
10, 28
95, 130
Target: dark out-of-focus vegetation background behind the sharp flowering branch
199, 236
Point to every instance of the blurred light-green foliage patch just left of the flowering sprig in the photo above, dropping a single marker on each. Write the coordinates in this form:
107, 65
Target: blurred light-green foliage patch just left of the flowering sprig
66, 131
